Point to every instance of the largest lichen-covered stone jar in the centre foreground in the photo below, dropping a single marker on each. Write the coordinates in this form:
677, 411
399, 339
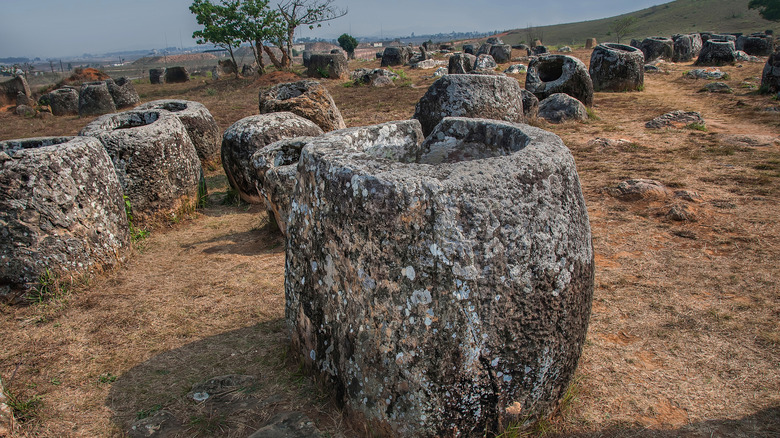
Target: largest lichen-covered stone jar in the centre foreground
441, 289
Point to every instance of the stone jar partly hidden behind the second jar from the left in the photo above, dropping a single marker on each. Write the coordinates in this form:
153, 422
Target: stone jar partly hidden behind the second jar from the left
201, 125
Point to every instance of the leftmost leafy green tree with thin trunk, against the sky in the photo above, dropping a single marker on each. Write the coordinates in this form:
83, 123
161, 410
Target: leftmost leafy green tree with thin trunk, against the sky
221, 25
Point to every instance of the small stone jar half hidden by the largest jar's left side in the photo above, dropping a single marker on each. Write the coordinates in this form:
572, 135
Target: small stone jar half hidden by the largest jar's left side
276, 168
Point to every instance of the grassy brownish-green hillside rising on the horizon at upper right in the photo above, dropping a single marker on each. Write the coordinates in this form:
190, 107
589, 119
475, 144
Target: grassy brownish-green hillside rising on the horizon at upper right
667, 19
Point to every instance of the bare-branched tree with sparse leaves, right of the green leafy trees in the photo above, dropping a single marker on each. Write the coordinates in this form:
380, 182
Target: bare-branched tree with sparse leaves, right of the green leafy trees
296, 13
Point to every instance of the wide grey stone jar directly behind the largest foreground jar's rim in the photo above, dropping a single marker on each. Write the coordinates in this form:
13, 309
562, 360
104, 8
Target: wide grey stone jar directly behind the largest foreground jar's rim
478, 96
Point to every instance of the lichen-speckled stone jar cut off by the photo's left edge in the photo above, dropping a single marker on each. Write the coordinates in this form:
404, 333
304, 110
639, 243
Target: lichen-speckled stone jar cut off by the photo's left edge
61, 210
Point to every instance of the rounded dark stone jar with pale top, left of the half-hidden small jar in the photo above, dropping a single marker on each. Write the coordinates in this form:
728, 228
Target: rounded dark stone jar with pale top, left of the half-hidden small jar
250, 134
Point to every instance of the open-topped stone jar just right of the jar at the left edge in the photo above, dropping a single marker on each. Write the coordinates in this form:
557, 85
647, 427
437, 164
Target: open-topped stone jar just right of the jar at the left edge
155, 160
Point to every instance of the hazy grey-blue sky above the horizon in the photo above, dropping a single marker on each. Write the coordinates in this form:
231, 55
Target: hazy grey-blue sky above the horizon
54, 28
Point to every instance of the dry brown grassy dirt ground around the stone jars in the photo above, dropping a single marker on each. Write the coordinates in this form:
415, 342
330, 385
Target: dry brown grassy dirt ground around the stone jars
684, 338
